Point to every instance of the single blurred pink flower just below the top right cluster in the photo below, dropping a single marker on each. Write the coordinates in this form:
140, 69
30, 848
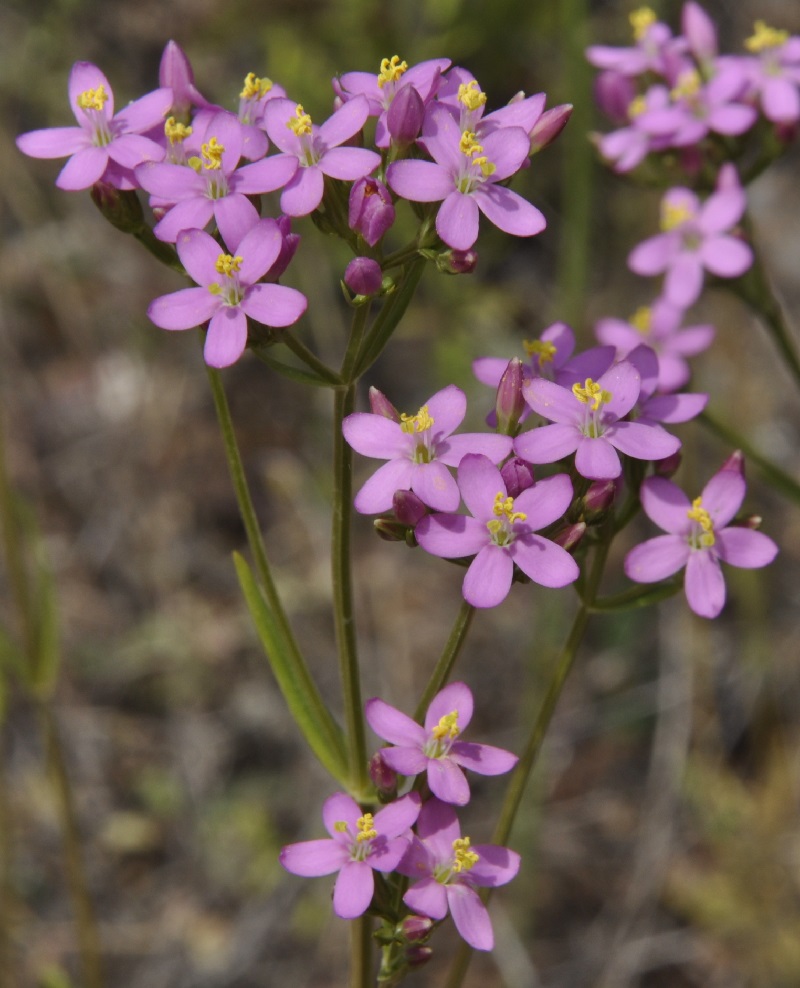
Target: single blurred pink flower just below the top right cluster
695, 238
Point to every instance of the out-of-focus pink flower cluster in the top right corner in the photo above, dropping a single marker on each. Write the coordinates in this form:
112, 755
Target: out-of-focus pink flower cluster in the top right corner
676, 93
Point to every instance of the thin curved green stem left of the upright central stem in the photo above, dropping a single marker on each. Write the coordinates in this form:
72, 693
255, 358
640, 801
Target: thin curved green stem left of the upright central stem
301, 676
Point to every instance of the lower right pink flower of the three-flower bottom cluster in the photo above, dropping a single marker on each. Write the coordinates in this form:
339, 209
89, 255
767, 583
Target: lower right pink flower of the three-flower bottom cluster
449, 869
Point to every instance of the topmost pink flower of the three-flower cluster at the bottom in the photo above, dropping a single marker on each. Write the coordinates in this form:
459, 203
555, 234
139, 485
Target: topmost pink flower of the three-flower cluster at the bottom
433, 748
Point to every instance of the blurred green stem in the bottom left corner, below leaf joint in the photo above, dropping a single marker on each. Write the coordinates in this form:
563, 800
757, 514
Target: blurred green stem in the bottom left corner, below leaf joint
88, 937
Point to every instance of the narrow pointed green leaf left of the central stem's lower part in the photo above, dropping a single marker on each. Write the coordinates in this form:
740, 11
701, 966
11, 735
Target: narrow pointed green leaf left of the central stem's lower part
323, 734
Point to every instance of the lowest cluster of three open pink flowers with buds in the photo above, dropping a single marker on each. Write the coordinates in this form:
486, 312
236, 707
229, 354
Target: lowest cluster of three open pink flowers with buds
419, 840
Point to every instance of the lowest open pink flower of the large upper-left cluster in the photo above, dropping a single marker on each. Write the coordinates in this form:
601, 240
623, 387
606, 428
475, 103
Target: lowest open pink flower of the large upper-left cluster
230, 291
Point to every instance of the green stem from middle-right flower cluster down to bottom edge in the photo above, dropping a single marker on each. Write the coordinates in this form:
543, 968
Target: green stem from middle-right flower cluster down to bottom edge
526, 764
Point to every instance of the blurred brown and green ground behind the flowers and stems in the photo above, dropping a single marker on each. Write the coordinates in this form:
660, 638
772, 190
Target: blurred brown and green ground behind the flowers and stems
660, 834
